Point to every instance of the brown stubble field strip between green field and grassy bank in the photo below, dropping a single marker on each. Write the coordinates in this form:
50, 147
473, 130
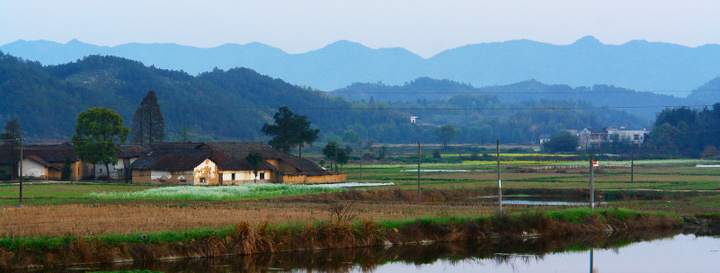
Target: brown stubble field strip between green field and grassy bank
83, 219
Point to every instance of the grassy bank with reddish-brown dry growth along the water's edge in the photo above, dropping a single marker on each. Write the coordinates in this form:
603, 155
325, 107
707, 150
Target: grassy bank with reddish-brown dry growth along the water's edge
245, 238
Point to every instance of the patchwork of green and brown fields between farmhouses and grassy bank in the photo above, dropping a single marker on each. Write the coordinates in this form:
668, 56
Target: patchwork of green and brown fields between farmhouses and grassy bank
59, 209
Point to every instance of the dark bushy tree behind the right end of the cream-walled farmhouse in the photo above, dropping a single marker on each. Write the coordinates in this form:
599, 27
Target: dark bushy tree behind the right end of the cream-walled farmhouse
290, 130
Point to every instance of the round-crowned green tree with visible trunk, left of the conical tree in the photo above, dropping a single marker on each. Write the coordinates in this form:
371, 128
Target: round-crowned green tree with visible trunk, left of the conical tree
98, 134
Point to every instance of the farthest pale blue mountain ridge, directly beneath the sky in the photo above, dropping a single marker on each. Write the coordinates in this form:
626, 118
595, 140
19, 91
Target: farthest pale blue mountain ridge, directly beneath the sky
638, 65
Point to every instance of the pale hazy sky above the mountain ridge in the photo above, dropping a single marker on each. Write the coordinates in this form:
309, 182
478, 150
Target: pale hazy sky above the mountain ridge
422, 26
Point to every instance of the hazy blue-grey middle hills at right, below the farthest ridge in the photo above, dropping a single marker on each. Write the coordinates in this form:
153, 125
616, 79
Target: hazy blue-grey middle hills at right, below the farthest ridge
426, 89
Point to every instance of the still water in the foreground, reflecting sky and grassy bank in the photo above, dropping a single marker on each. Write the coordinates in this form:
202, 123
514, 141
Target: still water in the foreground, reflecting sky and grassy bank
664, 251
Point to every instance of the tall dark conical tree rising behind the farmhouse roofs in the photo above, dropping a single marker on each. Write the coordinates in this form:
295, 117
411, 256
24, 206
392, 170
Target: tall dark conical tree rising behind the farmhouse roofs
148, 124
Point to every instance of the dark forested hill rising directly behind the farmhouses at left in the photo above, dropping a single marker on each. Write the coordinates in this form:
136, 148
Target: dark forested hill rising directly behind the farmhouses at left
218, 105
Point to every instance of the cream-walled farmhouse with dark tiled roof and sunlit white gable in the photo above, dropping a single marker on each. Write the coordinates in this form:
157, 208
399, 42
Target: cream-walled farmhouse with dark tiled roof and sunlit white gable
224, 163
